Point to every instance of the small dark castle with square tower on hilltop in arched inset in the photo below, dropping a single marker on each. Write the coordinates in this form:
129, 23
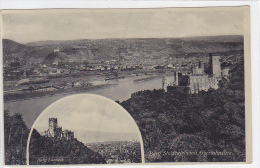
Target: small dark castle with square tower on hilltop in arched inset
56, 132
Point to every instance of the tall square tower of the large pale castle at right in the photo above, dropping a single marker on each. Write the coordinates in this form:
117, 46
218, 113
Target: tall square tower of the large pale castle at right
215, 68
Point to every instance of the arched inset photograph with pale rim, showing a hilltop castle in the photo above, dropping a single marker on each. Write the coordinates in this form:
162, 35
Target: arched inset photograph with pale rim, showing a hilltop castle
84, 129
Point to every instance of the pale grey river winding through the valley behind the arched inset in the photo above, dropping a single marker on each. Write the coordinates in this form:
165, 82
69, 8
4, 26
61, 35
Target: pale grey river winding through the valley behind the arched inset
31, 108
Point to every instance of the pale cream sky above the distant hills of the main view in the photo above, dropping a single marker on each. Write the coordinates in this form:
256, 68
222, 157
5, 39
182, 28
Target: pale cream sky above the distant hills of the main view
25, 26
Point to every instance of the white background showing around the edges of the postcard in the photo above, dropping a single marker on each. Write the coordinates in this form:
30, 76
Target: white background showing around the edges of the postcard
254, 13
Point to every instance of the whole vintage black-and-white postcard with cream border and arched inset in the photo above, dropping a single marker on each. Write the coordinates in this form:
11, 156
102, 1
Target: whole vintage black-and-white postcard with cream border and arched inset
126, 86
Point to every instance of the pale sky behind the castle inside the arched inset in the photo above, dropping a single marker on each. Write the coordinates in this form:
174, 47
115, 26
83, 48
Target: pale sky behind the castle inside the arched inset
91, 117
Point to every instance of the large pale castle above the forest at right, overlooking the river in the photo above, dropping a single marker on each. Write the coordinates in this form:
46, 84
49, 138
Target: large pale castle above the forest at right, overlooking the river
199, 80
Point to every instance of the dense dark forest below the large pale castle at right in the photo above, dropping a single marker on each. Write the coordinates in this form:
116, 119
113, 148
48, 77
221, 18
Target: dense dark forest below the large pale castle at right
179, 127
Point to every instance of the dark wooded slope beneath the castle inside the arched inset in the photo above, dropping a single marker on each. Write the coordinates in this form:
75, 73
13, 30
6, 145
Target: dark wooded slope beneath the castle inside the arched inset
48, 150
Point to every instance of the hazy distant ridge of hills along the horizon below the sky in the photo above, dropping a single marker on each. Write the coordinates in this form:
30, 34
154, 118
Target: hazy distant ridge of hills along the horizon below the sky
96, 50
